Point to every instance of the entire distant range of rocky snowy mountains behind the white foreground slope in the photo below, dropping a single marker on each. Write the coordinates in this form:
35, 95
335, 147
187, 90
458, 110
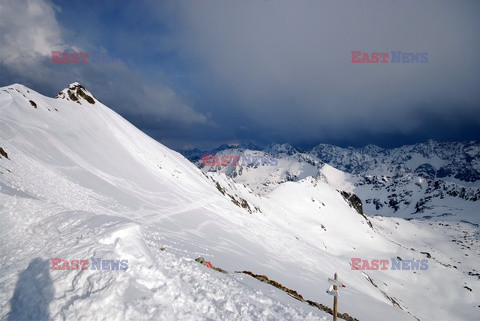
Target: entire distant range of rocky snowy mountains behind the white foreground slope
419, 181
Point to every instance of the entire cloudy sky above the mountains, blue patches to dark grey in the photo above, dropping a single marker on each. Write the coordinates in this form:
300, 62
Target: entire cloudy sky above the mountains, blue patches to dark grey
203, 73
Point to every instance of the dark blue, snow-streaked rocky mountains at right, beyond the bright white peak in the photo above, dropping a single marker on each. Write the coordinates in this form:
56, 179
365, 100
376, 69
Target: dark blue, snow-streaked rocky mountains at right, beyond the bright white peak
423, 180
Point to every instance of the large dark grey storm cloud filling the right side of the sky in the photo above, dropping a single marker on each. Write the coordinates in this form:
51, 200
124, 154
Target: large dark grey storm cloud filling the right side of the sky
287, 65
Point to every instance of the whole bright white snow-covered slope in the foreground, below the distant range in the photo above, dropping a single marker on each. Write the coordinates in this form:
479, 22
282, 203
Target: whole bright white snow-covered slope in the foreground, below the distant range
80, 182
